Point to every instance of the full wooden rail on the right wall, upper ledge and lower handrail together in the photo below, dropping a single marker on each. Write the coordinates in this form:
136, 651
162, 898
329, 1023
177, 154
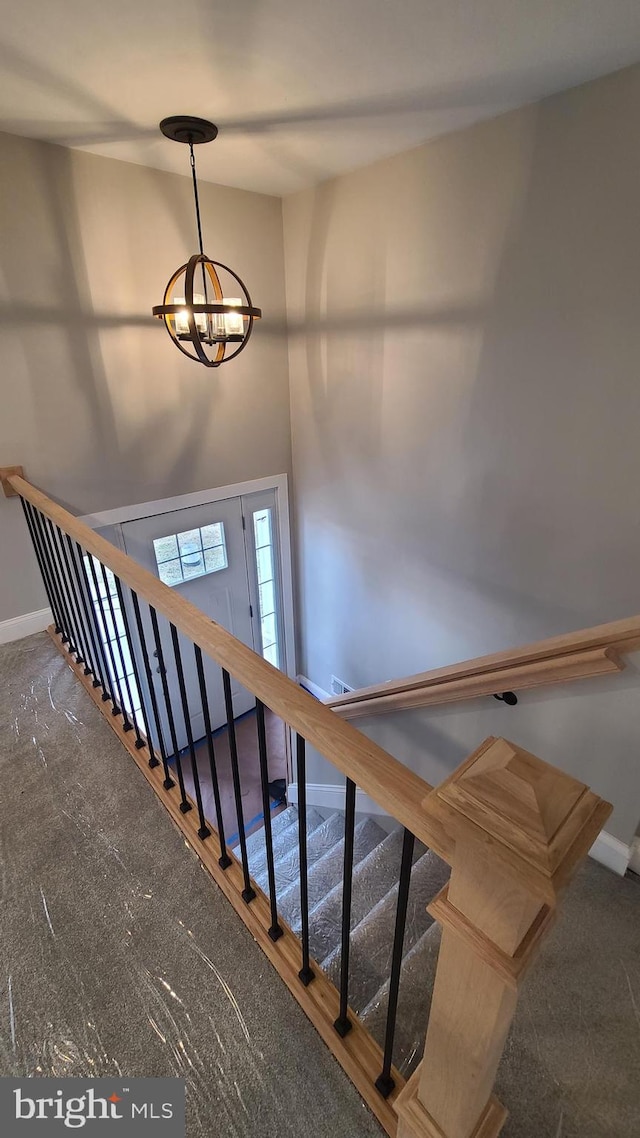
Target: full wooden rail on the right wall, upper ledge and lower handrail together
552, 662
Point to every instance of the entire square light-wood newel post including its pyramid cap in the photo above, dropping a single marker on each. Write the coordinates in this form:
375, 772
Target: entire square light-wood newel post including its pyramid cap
521, 828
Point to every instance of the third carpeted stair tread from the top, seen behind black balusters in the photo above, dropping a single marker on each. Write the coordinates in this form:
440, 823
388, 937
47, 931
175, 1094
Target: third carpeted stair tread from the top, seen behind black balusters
373, 878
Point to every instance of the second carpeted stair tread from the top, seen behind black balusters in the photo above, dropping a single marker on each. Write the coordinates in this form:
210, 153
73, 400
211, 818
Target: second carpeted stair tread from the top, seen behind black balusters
372, 942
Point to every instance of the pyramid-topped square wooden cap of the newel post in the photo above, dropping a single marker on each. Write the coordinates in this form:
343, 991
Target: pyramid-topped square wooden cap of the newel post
538, 818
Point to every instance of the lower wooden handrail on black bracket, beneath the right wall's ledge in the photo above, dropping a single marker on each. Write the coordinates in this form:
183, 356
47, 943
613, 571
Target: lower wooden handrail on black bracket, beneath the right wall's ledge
596, 662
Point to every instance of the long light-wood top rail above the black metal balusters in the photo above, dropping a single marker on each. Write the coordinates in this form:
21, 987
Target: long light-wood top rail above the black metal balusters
378, 773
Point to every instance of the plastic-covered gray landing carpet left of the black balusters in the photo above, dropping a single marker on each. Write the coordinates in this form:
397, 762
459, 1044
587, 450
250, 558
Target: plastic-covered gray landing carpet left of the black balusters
118, 953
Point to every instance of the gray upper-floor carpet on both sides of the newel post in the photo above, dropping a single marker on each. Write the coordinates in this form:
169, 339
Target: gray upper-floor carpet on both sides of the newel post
118, 954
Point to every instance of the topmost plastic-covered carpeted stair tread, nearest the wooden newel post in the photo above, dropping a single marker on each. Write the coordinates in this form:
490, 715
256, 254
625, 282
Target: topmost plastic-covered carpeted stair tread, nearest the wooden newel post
417, 983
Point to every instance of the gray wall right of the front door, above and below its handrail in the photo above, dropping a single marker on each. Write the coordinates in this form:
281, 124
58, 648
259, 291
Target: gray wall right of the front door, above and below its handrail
465, 340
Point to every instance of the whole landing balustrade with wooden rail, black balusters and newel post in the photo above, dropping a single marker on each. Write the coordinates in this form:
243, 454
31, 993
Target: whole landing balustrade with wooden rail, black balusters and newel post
513, 828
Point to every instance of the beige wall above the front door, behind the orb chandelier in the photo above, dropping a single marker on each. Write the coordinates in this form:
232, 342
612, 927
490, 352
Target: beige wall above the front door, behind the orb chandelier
97, 405
